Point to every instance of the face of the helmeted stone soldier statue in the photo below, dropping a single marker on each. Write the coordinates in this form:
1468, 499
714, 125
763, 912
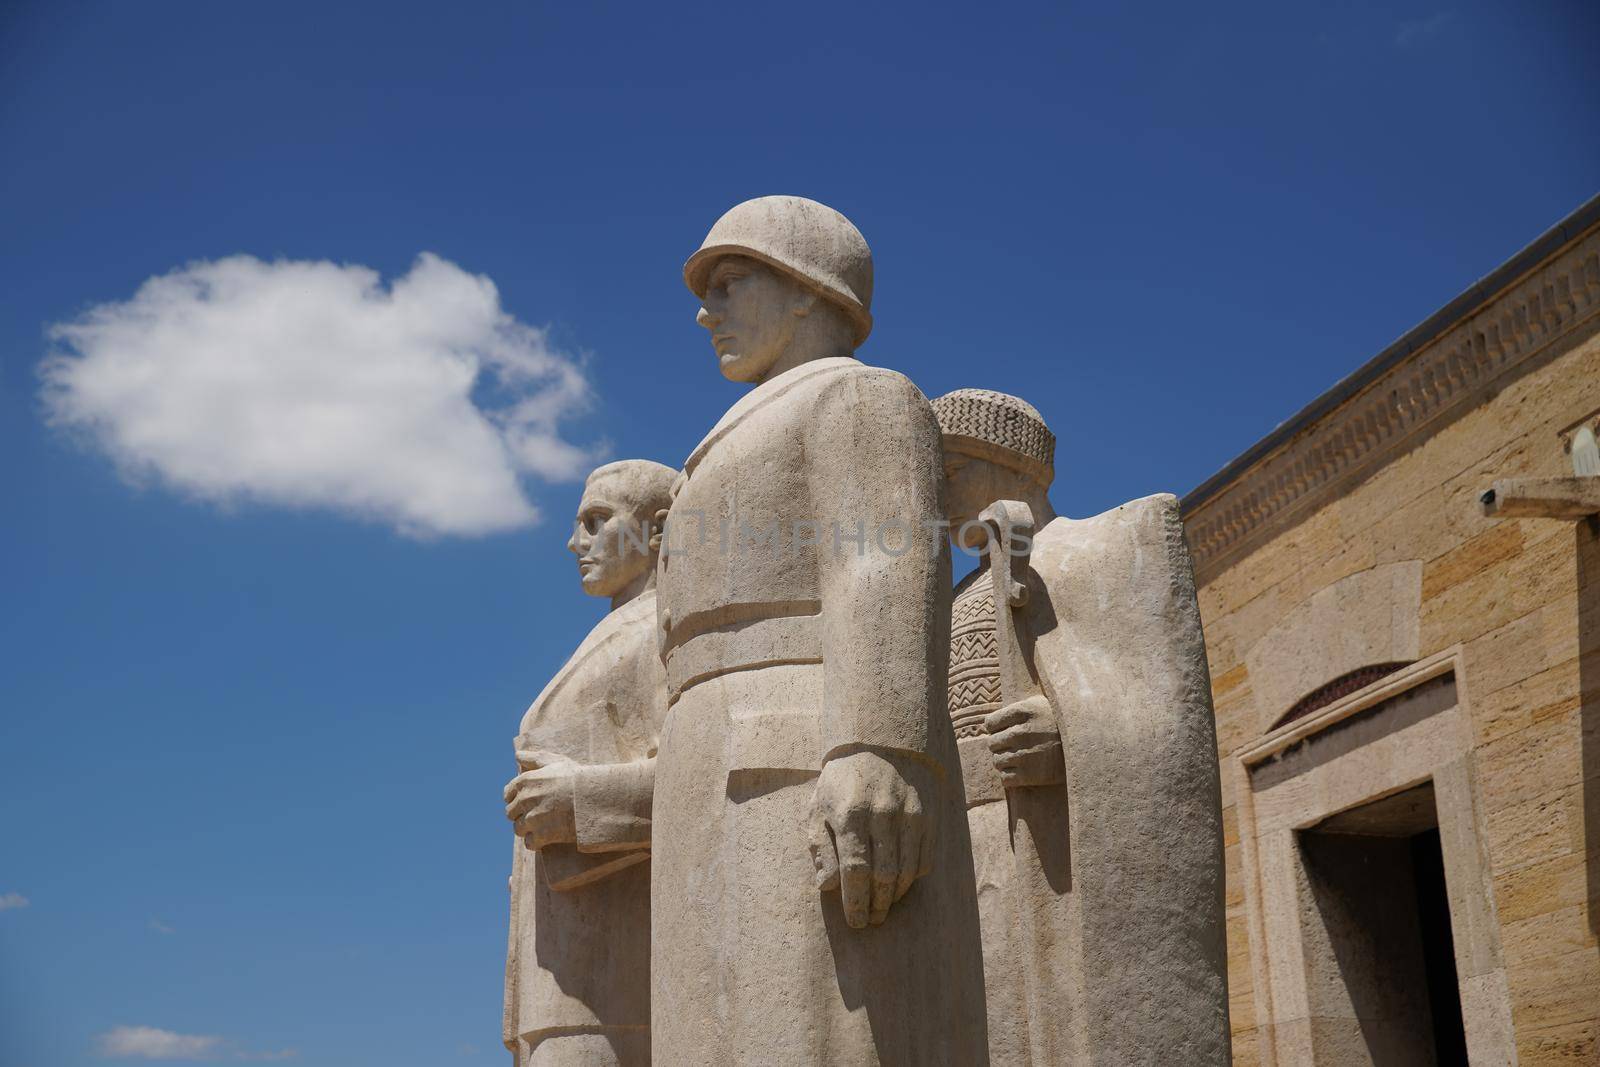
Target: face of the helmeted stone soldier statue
751, 313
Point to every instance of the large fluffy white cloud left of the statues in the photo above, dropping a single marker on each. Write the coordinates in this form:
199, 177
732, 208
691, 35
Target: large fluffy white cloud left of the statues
311, 385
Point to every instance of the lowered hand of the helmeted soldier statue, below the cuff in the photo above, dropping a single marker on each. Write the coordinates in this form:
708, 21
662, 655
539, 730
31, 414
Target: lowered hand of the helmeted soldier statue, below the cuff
871, 831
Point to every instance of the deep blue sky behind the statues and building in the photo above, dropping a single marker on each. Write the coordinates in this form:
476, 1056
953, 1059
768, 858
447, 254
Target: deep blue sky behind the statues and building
258, 701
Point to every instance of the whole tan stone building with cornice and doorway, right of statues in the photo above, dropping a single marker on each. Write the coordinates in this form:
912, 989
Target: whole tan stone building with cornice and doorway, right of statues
1407, 689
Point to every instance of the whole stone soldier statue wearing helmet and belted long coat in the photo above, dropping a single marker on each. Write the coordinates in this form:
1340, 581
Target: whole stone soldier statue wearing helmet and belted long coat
809, 690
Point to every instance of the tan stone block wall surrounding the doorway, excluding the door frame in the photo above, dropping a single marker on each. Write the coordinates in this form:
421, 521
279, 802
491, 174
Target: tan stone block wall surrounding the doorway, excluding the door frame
1518, 597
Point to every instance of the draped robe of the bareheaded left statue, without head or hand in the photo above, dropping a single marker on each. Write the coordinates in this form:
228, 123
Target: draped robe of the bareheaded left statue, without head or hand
578, 965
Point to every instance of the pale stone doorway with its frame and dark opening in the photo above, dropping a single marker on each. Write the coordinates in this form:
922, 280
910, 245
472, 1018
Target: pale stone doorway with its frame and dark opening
1374, 937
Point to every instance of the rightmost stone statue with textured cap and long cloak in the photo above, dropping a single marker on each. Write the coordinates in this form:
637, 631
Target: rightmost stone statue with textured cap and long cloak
1092, 786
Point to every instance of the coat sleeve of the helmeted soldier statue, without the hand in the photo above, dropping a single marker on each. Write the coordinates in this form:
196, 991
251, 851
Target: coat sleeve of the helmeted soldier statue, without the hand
874, 471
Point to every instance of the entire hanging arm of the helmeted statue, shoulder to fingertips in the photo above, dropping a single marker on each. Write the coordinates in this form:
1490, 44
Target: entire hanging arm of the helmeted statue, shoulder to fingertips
873, 463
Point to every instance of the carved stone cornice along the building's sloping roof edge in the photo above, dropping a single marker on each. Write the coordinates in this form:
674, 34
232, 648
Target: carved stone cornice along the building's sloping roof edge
1410, 391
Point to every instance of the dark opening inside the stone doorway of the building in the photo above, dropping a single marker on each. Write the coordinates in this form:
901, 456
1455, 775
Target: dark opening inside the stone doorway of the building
1380, 957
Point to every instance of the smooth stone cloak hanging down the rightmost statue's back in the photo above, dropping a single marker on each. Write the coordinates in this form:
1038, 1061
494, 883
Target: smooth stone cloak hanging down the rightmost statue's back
1121, 647
